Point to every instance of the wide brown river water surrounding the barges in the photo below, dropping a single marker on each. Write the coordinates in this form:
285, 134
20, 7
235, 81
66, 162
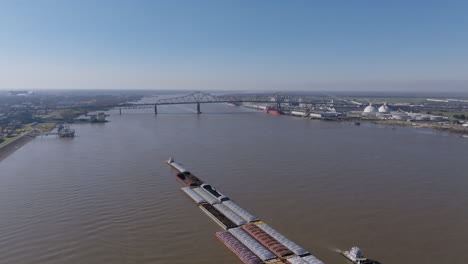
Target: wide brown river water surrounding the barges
106, 196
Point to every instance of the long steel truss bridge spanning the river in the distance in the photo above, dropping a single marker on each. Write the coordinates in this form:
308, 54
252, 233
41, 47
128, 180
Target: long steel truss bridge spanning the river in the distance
279, 100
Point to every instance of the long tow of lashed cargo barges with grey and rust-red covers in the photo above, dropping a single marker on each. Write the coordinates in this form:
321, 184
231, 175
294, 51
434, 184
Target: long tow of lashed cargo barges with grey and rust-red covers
251, 240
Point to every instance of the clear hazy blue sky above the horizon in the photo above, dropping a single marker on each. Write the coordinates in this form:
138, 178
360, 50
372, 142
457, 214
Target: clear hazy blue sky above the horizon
236, 44
